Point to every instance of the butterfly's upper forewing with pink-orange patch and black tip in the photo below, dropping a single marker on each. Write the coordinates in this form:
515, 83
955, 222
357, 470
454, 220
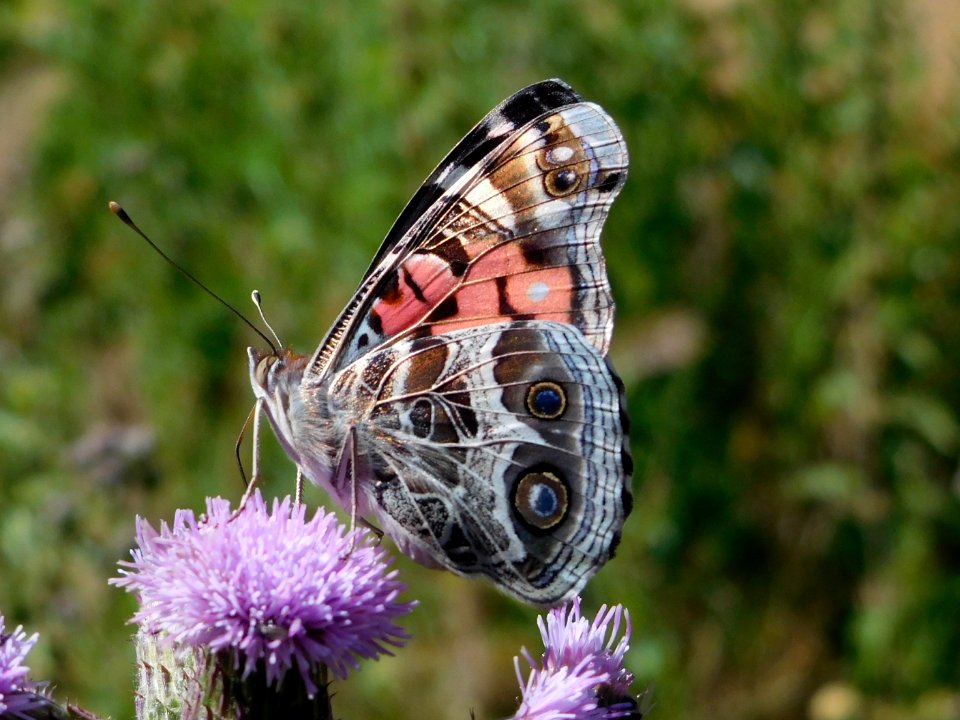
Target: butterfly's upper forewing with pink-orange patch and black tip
515, 236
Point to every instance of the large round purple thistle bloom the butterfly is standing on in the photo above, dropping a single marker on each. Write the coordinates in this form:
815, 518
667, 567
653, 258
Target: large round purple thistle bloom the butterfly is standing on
268, 586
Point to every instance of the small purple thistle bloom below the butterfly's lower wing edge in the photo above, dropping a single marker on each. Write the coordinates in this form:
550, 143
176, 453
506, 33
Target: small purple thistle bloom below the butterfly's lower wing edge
580, 674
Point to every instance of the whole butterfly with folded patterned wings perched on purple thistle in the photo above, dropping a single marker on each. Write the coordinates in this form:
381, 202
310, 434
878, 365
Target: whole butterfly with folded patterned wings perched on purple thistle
463, 401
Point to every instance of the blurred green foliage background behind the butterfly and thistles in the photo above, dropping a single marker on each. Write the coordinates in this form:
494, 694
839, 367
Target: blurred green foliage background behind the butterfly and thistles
784, 256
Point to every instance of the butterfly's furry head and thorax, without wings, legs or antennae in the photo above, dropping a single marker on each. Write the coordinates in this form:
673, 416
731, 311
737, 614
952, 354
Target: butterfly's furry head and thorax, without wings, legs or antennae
301, 416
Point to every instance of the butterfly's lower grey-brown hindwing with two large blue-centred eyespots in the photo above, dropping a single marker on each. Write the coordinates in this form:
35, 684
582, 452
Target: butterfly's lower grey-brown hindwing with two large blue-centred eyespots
497, 450
